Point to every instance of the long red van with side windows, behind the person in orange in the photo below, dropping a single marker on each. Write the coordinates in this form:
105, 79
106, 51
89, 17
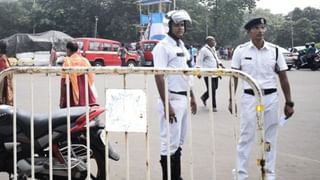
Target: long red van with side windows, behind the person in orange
104, 52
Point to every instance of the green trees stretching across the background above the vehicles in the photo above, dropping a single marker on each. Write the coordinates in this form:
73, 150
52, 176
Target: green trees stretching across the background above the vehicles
119, 20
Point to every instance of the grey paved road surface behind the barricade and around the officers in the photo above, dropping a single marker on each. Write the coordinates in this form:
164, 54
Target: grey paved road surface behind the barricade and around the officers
298, 145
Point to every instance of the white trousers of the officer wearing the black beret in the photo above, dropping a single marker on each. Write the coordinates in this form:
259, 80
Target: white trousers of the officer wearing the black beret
248, 121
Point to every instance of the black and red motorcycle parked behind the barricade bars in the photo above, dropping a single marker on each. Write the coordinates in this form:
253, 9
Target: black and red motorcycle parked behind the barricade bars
59, 143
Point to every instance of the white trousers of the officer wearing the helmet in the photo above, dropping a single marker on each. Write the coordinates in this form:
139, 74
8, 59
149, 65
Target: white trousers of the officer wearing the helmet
177, 129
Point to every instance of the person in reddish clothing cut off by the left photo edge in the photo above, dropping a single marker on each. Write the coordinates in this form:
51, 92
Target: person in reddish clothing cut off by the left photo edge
6, 87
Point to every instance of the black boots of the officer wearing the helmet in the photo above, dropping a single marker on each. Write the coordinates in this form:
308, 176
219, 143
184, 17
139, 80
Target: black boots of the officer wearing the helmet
175, 166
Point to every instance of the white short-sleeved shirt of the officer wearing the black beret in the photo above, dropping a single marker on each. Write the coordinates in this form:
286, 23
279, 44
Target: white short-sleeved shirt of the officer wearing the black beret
259, 63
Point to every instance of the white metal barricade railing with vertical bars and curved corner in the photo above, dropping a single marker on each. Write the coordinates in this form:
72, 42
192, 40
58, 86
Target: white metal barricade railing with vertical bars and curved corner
122, 71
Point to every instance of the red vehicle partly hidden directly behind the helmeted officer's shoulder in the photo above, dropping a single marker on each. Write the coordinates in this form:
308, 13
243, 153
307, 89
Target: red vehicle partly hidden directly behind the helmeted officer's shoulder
147, 47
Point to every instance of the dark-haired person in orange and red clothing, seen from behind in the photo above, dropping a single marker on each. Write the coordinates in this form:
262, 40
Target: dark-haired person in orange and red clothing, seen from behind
77, 80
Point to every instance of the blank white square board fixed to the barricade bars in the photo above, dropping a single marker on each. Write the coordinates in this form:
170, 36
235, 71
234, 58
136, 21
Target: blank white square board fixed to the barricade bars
126, 110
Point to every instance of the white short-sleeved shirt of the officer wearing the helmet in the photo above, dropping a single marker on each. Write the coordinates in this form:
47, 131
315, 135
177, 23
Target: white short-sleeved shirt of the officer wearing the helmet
167, 54
